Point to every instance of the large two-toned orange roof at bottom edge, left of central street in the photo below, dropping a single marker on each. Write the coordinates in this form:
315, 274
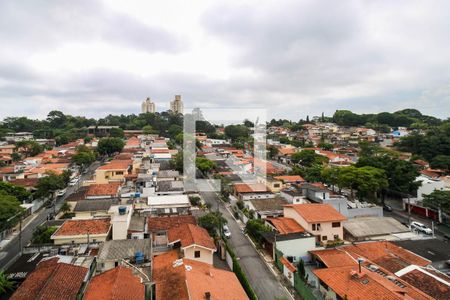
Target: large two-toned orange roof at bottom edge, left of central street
192, 279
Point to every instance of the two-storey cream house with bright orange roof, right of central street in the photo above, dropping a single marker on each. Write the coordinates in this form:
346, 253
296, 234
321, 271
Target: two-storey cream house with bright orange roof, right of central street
321, 220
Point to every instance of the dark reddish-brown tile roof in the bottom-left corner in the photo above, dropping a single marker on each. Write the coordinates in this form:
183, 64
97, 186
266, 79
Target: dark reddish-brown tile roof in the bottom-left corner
52, 281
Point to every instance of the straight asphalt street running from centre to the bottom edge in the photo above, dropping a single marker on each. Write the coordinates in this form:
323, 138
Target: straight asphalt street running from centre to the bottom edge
263, 281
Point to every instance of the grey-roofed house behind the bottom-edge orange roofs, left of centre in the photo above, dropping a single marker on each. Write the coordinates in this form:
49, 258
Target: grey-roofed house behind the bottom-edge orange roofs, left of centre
111, 254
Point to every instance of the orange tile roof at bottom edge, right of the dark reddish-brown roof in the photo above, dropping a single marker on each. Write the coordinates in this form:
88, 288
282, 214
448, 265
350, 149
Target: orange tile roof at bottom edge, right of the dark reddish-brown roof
115, 284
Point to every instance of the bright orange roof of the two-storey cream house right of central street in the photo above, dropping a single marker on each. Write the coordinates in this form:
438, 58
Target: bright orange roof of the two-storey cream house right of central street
317, 212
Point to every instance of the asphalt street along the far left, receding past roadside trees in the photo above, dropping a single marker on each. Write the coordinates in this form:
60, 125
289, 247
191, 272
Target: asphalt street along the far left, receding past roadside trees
12, 251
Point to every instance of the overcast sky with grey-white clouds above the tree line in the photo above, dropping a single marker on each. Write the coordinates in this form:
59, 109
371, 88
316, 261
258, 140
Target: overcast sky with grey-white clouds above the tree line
295, 58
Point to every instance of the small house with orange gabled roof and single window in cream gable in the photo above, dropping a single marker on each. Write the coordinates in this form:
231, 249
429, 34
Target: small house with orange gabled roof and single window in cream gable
194, 242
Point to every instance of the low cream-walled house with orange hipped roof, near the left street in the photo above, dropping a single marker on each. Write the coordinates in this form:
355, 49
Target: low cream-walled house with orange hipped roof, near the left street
82, 231
